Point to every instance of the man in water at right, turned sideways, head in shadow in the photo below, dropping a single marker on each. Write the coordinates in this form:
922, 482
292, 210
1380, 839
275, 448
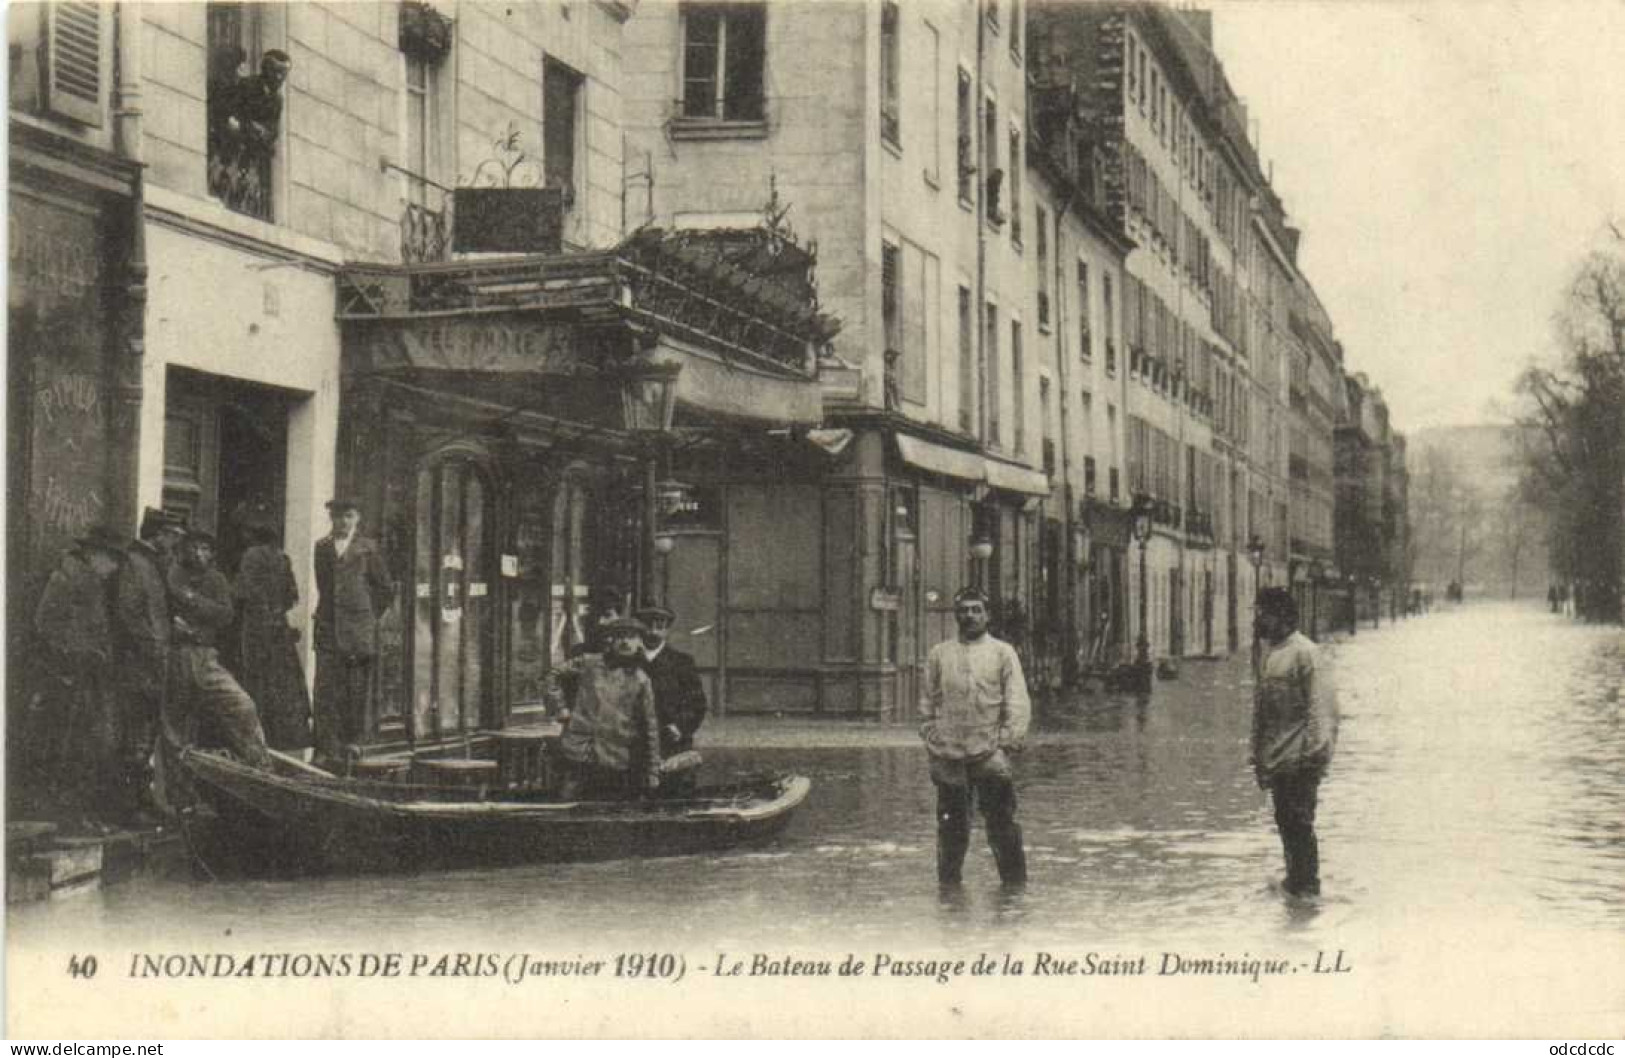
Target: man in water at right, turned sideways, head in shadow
1294, 734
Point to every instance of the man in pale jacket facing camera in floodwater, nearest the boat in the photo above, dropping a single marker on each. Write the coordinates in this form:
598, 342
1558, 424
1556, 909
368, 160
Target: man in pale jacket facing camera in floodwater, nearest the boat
974, 714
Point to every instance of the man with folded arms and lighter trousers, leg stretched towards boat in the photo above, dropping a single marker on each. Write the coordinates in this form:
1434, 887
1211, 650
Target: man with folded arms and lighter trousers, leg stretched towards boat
201, 690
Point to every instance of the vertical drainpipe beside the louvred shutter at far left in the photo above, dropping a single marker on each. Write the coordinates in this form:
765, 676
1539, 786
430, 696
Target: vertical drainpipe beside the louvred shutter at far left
129, 345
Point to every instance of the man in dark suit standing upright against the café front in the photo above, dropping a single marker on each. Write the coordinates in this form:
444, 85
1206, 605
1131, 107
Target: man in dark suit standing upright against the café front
353, 591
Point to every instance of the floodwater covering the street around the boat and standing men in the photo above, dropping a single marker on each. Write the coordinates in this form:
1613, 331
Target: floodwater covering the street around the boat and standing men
1473, 844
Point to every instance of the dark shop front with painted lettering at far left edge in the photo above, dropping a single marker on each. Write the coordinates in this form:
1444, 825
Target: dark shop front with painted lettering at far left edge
74, 353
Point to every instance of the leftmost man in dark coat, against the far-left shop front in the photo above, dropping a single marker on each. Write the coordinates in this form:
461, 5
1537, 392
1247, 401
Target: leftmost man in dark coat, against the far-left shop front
77, 722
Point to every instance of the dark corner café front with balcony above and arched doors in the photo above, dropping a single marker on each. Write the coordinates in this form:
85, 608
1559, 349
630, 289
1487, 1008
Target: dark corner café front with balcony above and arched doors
513, 430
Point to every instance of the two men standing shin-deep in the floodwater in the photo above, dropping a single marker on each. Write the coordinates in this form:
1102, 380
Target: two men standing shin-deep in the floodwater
976, 711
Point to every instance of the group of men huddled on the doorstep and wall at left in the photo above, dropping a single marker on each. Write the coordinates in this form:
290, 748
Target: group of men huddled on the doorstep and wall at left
129, 643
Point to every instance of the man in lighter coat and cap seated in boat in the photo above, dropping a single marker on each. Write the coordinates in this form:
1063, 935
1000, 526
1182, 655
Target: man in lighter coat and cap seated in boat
612, 732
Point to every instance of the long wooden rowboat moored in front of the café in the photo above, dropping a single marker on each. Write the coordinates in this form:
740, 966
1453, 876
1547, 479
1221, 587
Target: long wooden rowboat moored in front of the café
300, 820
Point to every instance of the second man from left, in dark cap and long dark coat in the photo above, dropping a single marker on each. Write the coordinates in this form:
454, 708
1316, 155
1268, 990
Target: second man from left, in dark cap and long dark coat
142, 635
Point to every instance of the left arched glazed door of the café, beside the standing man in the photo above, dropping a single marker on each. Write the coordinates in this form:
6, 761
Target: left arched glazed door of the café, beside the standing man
453, 638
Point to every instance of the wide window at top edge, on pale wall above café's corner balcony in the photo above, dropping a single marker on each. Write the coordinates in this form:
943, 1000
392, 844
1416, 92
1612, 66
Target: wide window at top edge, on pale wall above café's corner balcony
724, 50
